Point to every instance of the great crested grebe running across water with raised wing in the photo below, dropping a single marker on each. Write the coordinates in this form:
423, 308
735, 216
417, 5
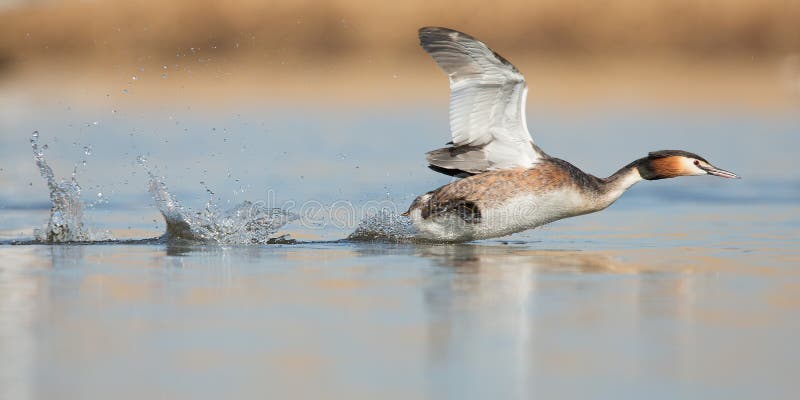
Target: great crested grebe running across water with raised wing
510, 184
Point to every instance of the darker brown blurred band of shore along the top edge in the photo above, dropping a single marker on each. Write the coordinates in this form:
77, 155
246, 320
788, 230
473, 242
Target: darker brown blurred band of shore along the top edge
116, 30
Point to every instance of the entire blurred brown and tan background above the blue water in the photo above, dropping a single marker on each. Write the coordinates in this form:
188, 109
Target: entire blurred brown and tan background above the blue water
742, 51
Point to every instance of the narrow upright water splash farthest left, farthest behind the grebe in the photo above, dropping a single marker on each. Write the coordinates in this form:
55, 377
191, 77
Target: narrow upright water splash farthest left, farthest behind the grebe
66, 211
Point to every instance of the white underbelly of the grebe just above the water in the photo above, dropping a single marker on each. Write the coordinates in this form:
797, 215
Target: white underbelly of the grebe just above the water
501, 219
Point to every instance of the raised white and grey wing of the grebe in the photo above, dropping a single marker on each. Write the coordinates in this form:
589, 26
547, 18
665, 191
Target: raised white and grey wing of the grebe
487, 106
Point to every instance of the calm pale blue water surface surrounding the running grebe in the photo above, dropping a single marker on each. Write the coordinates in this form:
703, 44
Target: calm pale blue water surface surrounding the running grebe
687, 288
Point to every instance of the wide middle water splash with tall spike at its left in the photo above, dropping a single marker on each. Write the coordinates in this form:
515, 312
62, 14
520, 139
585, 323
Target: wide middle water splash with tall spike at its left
246, 223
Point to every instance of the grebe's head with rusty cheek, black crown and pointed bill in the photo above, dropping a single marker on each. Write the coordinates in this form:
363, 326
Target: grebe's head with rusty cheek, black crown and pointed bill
673, 163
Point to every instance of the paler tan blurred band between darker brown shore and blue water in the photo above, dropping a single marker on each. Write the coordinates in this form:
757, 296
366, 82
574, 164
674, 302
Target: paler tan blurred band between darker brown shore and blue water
770, 84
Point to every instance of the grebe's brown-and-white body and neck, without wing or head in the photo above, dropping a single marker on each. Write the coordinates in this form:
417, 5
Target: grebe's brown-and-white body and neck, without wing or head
499, 203
